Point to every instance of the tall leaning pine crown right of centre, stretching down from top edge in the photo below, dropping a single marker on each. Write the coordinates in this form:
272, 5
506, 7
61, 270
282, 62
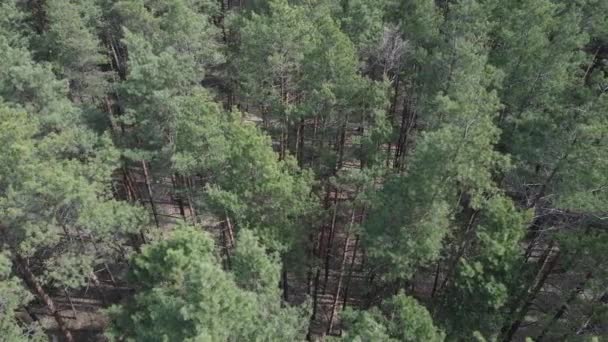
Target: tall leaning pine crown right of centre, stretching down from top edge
454, 162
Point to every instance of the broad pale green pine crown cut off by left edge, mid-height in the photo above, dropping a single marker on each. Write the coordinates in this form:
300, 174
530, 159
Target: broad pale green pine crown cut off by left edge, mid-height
54, 187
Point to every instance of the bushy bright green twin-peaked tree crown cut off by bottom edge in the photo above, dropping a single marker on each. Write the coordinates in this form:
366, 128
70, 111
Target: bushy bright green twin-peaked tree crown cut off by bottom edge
186, 295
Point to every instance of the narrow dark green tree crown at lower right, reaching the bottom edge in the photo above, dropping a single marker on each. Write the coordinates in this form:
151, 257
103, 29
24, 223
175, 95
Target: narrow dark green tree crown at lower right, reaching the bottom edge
489, 273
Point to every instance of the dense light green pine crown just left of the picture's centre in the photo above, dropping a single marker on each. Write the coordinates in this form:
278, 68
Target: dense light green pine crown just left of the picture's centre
269, 196
